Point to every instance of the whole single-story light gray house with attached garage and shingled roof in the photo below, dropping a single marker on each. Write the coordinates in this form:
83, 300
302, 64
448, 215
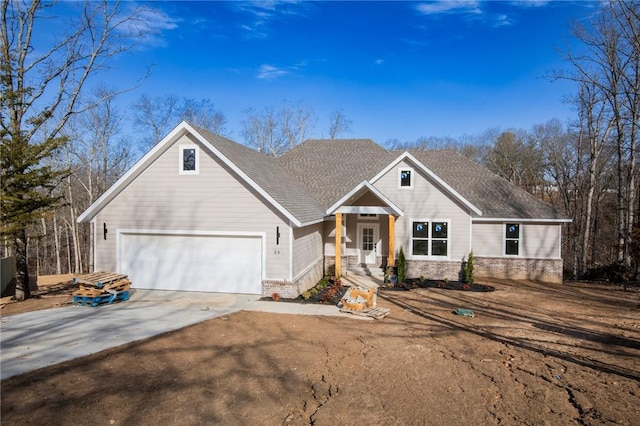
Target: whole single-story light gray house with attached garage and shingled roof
200, 212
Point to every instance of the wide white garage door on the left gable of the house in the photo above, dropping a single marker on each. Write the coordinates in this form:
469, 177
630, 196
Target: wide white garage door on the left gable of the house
226, 264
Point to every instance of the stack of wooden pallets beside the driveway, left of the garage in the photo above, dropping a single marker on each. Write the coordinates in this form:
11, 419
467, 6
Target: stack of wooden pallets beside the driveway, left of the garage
101, 288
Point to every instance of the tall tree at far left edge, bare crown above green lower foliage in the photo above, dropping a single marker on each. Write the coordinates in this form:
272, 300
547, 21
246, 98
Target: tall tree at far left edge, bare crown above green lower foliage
41, 88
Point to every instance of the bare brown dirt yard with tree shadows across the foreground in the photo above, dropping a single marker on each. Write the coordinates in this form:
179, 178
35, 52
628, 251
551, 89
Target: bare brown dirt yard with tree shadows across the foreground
533, 354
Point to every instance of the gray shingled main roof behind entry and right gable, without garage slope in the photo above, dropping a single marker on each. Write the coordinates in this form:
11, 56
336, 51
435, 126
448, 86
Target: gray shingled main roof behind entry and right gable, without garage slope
329, 169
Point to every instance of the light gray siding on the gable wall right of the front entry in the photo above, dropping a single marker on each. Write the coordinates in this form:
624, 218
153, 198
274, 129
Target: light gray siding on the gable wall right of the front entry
427, 202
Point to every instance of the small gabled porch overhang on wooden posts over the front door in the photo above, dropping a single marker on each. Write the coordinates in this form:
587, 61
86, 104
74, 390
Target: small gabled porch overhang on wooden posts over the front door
344, 206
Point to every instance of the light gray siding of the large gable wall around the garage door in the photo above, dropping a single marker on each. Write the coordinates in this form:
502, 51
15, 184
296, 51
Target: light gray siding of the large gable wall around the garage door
214, 200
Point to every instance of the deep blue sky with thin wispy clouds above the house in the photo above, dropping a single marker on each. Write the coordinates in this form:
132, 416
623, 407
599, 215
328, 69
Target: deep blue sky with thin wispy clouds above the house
399, 70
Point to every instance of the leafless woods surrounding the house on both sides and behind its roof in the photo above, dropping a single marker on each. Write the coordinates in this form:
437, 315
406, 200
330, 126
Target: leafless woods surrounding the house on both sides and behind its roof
59, 156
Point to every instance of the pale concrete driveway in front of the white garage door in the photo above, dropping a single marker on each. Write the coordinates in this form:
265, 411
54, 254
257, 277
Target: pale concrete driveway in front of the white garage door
38, 339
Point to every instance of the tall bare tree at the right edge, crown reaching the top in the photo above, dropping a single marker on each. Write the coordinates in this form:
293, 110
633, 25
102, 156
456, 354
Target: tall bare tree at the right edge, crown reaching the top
609, 62
